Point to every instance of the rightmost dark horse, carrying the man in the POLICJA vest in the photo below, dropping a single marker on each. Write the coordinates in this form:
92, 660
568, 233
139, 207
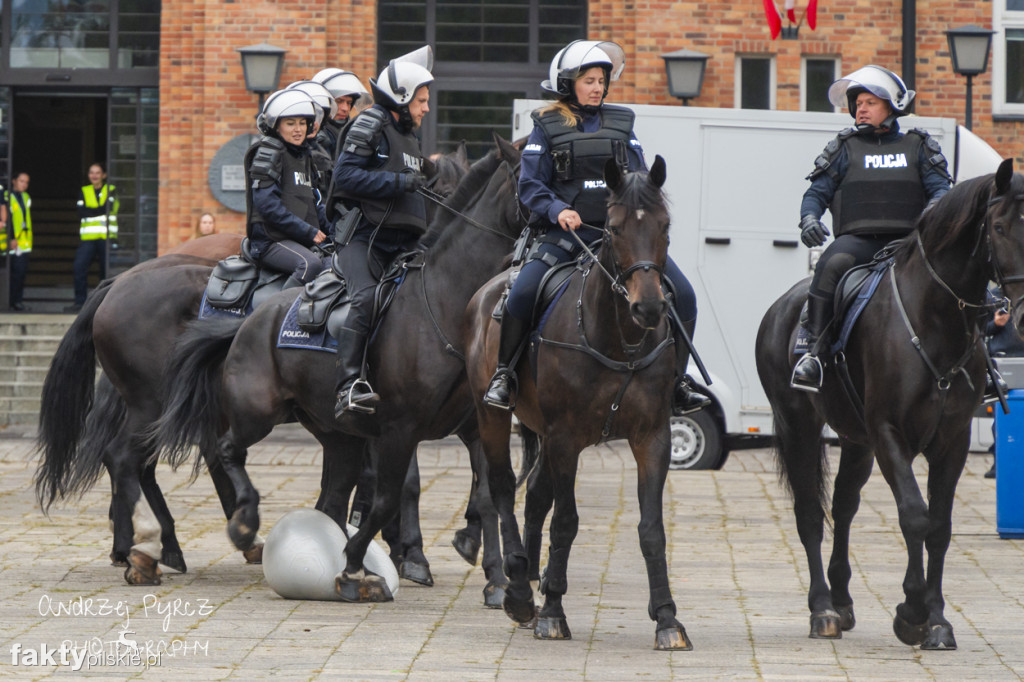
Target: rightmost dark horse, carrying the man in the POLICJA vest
917, 366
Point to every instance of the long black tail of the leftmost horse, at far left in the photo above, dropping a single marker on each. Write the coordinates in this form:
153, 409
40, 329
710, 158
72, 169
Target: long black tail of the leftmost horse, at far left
67, 400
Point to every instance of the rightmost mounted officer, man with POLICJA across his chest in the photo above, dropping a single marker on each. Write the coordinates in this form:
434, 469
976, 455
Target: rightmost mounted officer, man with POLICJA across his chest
876, 182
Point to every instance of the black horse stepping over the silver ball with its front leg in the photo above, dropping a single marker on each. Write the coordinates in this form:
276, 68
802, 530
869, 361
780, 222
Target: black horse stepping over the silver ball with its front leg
234, 374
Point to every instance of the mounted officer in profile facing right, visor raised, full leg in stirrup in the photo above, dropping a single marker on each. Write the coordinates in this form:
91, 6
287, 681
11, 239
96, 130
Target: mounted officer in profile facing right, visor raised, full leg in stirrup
378, 211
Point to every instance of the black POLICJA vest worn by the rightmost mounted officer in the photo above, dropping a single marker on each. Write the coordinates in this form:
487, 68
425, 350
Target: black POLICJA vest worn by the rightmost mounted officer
882, 192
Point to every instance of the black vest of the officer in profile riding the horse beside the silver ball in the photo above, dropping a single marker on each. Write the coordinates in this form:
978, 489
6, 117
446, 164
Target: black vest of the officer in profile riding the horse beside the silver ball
407, 211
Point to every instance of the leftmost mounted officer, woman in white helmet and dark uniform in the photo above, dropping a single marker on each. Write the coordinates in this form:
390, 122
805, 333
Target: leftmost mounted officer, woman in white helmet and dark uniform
284, 219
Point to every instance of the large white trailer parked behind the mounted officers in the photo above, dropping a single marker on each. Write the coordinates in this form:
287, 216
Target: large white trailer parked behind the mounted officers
736, 179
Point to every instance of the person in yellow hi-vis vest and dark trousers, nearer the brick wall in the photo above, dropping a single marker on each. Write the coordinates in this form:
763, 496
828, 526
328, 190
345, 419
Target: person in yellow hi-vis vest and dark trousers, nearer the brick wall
98, 211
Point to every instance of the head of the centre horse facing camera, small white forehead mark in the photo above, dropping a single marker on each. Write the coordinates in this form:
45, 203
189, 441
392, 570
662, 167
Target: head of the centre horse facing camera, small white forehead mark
637, 236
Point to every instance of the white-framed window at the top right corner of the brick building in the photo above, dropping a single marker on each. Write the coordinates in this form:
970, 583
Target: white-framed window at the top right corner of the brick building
1008, 58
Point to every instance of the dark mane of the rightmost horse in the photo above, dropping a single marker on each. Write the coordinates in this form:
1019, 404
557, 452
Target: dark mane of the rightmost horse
960, 210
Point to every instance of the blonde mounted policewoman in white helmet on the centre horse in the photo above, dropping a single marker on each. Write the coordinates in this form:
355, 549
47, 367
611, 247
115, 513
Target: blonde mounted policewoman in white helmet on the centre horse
562, 183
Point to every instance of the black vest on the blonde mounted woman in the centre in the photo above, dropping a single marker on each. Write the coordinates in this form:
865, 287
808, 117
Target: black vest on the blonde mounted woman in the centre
580, 158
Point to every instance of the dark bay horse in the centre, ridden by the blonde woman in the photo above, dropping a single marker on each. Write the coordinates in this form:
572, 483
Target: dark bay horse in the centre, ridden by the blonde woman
603, 369
